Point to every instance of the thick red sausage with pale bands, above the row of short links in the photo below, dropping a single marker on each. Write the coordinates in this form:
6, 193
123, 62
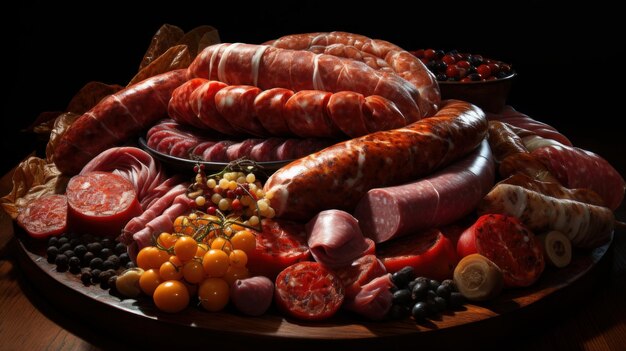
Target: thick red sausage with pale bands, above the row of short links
268, 67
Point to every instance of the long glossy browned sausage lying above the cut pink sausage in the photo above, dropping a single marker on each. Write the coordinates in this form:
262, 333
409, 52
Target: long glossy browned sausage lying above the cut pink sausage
338, 176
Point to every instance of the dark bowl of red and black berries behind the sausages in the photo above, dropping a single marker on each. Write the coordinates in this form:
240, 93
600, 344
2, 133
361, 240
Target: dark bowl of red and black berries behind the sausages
482, 81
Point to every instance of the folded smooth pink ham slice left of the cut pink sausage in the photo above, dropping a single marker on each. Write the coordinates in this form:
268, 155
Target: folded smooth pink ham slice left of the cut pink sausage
335, 239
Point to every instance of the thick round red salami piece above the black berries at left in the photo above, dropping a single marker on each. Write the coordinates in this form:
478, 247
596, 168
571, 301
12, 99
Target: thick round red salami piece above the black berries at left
100, 203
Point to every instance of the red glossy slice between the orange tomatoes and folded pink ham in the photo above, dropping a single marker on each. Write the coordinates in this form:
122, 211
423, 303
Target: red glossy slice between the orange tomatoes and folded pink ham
279, 245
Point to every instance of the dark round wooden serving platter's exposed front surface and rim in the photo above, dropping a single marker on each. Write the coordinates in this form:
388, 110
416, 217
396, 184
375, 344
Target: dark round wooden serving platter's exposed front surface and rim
139, 320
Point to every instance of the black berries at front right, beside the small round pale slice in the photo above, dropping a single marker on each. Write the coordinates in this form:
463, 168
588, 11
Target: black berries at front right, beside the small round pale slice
422, 297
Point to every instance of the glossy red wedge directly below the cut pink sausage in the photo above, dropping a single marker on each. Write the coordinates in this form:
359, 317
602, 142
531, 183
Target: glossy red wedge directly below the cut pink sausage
430, 253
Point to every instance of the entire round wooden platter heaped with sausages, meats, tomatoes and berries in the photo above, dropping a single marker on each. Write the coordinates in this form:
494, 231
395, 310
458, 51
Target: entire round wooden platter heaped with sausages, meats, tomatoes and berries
336, 197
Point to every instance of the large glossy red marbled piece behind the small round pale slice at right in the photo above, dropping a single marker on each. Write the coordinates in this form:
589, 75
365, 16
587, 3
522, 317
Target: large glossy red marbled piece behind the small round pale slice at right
510, 245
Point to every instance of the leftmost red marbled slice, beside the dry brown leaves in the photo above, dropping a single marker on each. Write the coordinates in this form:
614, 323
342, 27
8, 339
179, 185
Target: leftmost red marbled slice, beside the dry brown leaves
44, 217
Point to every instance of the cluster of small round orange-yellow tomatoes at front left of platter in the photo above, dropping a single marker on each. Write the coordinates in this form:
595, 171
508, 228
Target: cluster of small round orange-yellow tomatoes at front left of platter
202, 258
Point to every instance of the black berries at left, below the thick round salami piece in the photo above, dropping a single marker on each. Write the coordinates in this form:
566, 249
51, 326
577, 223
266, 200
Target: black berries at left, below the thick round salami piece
96, 259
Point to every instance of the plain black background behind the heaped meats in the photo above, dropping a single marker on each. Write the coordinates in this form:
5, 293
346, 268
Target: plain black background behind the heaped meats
567, 58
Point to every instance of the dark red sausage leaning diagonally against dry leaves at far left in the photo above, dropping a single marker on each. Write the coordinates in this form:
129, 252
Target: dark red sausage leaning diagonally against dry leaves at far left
114, 119
